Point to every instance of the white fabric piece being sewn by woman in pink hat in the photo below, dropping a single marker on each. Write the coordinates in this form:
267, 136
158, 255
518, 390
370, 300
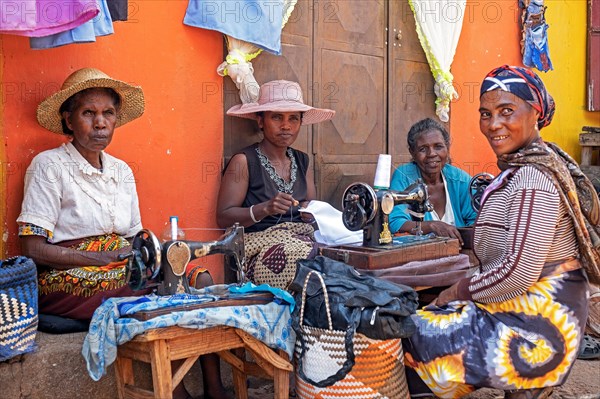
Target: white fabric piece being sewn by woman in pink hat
331, 227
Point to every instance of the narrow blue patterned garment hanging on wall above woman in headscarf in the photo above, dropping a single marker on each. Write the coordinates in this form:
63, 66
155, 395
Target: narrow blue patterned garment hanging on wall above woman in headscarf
534, 45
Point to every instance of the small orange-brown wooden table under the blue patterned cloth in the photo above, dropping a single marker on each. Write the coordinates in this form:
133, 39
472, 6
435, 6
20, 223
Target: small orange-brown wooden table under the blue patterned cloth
159, 347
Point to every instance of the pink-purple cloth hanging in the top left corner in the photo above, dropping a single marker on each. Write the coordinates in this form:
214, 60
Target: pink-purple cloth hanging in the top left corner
35, 18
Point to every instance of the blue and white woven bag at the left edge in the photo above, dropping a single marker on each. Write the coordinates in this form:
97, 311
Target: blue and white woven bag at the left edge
18, 307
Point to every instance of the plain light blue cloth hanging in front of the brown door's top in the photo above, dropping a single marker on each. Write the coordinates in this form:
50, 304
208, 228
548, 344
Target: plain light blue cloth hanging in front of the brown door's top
255, 21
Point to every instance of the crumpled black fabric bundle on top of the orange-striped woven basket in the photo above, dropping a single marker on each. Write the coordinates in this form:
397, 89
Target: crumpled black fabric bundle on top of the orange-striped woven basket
378, 309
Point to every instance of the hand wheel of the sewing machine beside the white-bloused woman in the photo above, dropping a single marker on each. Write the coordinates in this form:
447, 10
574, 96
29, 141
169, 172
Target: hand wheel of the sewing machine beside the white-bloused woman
144, 260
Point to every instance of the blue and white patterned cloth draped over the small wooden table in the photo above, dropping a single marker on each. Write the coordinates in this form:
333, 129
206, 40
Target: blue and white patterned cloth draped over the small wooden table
269, 323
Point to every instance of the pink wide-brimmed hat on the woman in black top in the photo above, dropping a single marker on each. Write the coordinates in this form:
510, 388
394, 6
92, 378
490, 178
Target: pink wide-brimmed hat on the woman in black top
281, 96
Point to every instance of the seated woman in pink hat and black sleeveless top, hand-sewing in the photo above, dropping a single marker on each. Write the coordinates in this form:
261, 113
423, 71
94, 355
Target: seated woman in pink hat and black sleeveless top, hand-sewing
265, 184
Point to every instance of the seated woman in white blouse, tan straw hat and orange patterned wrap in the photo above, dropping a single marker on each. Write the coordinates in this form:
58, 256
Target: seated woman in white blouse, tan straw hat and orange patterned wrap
80, 205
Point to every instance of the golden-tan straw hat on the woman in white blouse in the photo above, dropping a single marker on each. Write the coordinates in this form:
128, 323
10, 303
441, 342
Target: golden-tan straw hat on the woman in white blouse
132, 98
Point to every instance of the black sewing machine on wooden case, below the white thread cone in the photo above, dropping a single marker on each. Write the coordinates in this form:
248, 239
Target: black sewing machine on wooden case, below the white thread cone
368, 209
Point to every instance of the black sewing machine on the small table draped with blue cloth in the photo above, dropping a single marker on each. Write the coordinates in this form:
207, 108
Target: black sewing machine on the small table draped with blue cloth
152, 264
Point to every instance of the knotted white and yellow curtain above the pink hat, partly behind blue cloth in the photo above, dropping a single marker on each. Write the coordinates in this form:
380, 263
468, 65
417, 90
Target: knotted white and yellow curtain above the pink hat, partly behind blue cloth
237, 63
